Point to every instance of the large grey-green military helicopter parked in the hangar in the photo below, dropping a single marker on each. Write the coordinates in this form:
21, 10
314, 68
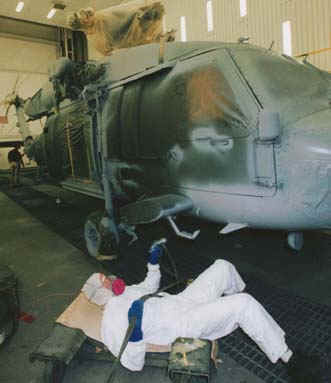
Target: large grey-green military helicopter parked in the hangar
227, 132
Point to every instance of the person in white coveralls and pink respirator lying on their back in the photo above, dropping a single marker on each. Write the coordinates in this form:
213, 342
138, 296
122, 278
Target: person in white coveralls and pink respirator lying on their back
211, 307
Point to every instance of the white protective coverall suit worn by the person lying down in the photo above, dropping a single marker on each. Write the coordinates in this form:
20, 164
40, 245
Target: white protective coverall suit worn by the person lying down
211, 307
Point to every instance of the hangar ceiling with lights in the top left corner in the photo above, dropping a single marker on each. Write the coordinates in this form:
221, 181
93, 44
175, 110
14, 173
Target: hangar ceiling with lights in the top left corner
37, 10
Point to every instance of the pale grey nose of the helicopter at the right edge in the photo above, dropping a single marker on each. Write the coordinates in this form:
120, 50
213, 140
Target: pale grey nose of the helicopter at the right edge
310, 163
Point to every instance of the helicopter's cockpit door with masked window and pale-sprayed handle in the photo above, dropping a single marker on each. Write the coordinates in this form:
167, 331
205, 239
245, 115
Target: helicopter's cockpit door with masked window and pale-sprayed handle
216, 147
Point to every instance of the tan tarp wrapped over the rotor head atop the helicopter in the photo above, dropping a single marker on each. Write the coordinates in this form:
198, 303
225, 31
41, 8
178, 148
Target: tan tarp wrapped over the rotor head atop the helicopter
110, 29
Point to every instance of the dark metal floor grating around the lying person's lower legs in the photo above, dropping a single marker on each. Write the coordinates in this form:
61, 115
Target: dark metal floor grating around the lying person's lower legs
307, 326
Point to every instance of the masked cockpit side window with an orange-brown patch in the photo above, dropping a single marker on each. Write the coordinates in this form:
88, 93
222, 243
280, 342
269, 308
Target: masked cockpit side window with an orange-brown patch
216, 101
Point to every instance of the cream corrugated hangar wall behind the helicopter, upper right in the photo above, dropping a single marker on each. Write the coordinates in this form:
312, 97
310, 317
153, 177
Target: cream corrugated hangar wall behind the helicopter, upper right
310, 24
